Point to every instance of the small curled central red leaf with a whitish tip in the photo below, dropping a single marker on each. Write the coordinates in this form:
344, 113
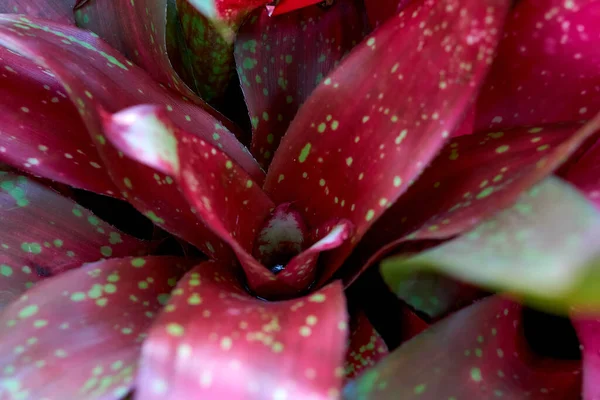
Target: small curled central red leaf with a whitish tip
221, 192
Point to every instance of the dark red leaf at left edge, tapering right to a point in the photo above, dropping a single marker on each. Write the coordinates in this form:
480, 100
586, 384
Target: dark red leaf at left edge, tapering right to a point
41, 132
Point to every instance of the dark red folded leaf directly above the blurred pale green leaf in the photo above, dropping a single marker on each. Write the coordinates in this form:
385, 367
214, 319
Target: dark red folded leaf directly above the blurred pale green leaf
472, 178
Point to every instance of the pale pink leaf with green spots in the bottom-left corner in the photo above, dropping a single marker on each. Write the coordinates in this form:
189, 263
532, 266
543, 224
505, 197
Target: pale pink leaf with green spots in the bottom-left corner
78, 336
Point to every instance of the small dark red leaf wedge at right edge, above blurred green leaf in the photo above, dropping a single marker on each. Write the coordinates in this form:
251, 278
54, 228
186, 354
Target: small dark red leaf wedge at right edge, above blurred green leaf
585, 173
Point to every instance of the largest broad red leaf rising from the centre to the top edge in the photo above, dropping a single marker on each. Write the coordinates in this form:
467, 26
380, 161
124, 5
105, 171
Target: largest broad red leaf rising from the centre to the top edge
354, 146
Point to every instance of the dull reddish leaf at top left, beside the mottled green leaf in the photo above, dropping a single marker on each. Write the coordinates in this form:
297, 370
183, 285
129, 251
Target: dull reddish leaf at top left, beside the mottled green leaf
138, 30
